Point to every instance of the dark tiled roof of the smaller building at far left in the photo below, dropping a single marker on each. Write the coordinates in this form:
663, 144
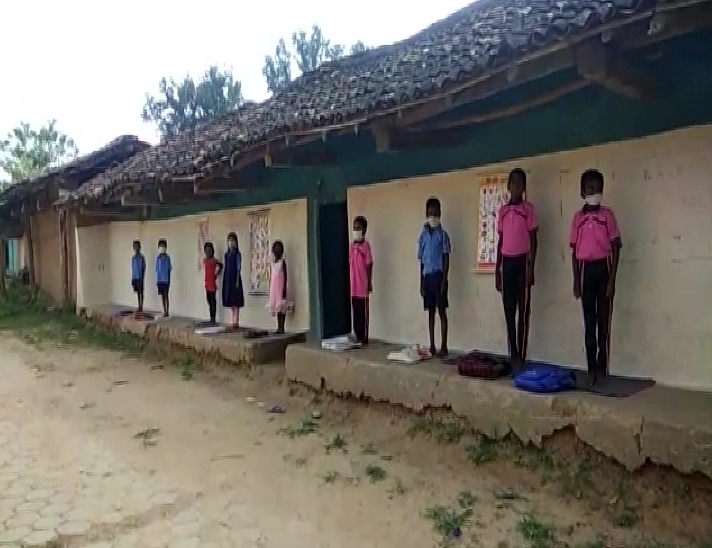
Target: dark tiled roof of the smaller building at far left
79, 169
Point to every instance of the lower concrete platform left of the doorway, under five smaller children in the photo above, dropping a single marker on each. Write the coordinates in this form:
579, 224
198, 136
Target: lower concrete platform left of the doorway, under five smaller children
232, 347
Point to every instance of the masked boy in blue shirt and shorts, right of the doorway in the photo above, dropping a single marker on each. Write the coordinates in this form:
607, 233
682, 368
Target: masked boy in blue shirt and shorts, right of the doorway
434, 257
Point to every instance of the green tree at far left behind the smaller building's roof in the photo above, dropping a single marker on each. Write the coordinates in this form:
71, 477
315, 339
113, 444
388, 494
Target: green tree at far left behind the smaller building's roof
26, 152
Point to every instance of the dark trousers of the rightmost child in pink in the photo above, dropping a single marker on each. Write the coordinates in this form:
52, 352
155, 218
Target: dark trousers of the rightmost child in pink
597, 309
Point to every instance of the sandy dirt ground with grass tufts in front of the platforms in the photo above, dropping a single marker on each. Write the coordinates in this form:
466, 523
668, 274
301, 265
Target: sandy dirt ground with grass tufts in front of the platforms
98, 449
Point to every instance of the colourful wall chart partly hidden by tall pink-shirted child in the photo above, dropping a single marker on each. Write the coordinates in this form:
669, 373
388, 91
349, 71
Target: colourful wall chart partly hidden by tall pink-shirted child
492, 195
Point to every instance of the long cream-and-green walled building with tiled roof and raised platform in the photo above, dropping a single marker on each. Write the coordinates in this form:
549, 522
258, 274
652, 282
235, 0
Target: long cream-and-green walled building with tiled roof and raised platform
552, 88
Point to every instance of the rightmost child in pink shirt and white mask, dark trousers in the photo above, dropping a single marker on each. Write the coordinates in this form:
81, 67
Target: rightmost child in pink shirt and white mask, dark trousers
595, 252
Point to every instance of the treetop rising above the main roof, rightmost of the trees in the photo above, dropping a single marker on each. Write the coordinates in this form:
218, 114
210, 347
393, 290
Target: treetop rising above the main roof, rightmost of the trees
308, 51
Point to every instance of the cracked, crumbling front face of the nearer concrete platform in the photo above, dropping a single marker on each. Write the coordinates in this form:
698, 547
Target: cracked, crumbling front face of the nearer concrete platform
495, 409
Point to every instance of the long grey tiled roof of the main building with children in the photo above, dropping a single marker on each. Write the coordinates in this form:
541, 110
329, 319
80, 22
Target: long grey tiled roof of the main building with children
462, 47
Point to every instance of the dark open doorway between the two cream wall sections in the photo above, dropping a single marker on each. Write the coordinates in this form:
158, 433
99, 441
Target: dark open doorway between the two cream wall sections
334, 252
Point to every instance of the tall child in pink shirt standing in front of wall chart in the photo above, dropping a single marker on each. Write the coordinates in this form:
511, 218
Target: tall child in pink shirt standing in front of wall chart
516, 256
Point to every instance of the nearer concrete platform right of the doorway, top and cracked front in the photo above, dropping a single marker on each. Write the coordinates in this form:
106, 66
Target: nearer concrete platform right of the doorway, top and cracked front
664, 425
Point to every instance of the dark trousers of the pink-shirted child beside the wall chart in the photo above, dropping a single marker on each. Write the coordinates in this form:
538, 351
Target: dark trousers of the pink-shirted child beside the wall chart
516, 297
